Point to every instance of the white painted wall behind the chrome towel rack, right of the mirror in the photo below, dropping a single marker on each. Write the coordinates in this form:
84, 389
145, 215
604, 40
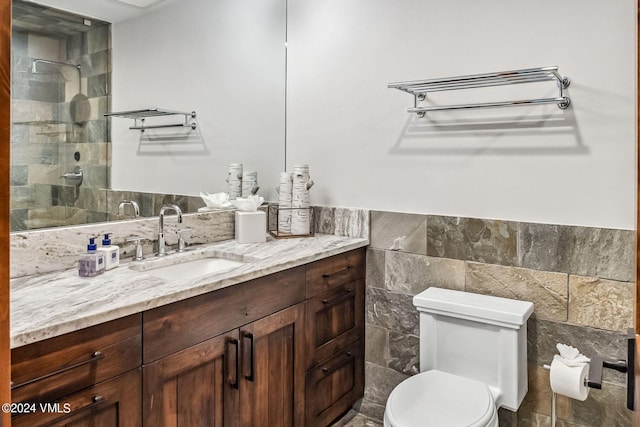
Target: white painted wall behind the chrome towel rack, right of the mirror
538, 164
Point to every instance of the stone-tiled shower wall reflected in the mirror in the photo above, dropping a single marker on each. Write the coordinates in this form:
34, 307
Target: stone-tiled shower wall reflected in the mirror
45, 141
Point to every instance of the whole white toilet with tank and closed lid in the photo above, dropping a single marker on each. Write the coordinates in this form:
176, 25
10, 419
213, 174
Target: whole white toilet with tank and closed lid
473, 360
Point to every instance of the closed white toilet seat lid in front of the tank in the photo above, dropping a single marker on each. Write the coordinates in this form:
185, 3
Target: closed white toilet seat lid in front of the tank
438, 399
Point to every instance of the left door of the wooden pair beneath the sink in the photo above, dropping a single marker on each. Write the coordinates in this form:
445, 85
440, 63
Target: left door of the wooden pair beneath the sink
196, 387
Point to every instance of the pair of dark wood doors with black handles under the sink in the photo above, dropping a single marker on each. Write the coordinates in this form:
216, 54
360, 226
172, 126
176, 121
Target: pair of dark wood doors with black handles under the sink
252, 376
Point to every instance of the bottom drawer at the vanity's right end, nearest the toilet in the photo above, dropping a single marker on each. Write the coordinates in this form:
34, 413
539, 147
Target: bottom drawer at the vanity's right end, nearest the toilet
335, 385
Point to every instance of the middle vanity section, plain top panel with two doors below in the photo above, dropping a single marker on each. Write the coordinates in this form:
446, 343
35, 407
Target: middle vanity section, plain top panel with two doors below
251, 375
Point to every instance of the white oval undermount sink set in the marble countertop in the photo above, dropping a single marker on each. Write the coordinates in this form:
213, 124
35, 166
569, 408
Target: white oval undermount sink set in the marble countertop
188, 265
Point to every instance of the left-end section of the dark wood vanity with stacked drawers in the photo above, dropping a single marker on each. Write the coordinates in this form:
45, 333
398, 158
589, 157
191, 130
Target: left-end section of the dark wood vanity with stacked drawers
90, 377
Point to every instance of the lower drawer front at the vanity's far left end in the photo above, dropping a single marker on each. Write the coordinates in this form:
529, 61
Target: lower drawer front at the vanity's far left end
112, 403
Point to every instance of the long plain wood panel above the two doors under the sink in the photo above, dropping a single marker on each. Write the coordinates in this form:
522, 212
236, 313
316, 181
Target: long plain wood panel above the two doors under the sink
180, 325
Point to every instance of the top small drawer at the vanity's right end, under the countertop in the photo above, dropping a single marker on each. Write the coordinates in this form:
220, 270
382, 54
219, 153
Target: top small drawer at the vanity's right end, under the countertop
334, 271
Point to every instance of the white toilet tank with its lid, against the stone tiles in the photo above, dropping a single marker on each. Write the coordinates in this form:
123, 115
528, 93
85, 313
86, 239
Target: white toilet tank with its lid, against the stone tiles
476, 336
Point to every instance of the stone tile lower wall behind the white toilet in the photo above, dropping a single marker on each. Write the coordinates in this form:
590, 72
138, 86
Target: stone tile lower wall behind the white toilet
580, 280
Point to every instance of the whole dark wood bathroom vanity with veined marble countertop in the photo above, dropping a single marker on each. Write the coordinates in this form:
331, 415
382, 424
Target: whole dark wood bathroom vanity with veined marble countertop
277, 341
